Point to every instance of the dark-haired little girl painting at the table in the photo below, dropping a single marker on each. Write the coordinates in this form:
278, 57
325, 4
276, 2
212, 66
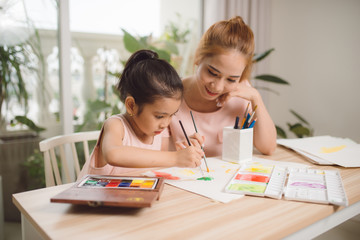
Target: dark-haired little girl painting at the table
151, 91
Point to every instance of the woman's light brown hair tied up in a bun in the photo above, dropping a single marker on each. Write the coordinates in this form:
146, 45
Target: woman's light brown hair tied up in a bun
224, 36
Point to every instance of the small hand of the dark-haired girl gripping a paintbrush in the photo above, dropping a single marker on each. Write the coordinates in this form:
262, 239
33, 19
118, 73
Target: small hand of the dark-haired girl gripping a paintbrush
189, 157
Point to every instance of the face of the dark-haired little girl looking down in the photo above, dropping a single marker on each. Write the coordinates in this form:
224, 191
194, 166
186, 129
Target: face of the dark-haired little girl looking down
155, 117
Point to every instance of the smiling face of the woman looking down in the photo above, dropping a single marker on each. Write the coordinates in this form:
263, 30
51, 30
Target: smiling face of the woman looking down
220, 74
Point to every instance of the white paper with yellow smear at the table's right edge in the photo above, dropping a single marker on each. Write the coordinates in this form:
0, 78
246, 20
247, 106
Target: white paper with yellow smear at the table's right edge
340, 151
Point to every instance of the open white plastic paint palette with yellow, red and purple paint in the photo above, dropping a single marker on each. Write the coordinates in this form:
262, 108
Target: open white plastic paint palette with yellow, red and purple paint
297, 184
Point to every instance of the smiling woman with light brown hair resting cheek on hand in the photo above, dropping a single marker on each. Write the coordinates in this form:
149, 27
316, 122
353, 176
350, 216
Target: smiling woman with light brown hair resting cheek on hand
220, 89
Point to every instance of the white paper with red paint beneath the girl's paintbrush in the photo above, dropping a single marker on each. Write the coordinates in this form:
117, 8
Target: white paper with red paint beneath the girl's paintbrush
221, 173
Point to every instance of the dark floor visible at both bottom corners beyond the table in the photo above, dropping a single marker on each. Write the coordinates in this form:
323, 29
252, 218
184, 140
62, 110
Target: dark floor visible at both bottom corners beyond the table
349, 230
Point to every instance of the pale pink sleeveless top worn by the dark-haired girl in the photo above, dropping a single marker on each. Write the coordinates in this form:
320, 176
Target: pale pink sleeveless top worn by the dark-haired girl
130, 139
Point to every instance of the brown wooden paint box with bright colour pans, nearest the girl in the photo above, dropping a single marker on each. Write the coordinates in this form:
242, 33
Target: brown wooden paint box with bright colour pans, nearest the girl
119, 191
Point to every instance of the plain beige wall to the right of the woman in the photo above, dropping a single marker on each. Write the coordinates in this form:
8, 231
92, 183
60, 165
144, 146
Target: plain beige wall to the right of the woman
317, 46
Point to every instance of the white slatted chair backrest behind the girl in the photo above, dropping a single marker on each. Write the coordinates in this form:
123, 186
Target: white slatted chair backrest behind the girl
51, 145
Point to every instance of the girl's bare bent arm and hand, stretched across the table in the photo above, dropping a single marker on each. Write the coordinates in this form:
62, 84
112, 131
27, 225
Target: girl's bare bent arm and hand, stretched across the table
115, 153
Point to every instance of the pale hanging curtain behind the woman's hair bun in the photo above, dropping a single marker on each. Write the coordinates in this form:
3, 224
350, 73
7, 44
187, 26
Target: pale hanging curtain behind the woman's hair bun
256, 13
